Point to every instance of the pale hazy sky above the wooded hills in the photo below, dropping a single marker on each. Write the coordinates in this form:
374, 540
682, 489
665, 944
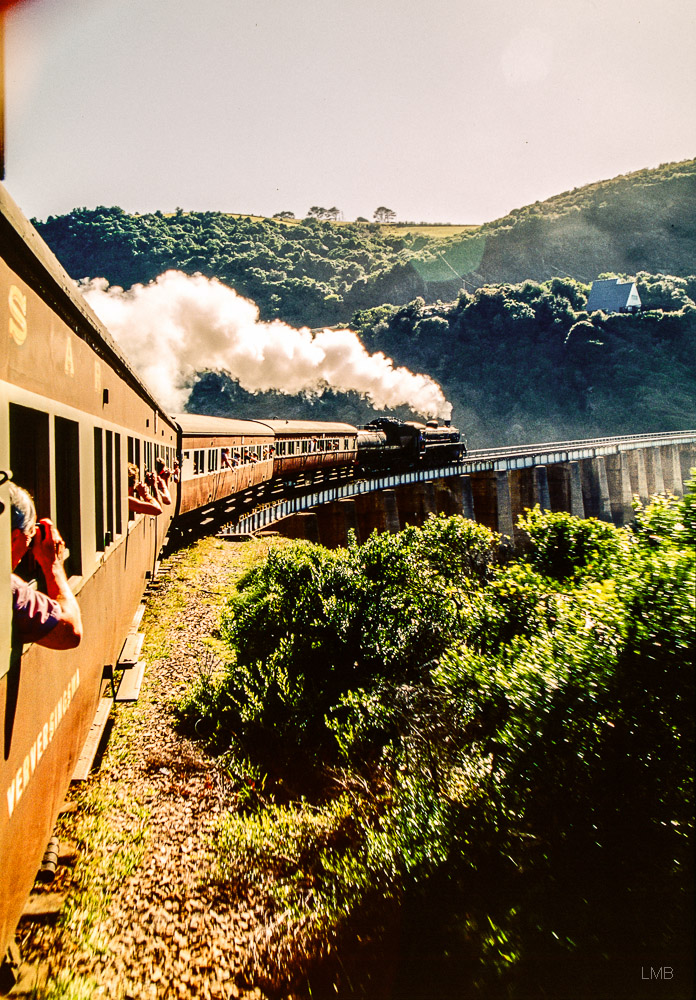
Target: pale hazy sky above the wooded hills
442, 110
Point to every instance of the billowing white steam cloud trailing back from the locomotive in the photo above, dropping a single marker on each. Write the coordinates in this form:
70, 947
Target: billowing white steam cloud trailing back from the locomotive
179, 324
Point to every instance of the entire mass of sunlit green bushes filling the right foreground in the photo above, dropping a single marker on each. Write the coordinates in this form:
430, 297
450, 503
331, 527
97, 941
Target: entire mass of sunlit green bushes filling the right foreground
506, 748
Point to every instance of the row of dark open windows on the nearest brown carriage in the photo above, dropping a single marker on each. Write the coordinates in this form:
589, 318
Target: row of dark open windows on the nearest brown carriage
34, 433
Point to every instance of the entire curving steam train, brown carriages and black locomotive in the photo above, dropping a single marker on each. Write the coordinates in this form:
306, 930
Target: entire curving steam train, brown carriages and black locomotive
73, 413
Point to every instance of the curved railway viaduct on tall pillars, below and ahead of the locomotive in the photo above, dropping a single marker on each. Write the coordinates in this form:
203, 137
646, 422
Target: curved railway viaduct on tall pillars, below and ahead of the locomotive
597, 477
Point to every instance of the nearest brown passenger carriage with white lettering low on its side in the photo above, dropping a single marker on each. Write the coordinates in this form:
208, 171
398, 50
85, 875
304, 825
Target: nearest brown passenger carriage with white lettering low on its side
72, 414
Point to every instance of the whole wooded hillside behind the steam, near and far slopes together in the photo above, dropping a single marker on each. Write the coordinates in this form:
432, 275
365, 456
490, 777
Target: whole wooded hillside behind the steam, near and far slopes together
497, 316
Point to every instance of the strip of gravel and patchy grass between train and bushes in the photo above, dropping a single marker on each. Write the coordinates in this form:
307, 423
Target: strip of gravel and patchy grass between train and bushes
140, 919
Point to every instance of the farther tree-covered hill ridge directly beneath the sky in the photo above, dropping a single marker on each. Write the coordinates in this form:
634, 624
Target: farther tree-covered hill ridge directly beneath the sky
315, 273
